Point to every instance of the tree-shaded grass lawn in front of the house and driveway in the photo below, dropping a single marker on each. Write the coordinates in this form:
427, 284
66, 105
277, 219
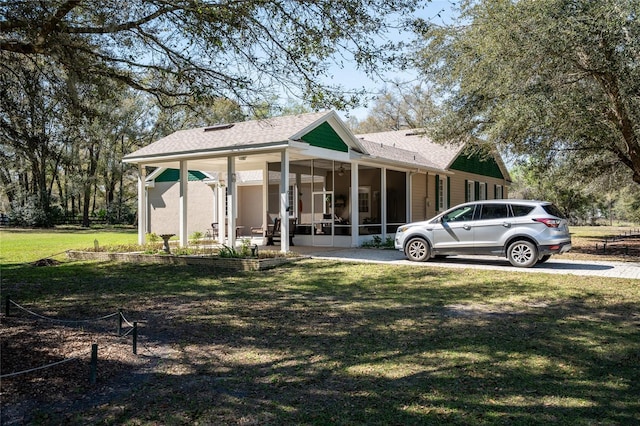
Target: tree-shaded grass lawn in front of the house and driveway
320, 342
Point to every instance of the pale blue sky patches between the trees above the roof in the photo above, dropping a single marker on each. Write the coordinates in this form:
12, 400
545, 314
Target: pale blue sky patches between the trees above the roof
437, 11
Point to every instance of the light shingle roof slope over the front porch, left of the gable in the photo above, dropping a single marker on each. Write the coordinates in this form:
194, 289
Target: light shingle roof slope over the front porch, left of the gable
243, 134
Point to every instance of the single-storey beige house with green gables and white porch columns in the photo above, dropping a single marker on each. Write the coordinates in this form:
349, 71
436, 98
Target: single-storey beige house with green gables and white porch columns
337, 189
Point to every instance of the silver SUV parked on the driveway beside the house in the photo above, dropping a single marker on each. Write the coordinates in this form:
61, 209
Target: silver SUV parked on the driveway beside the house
526, 232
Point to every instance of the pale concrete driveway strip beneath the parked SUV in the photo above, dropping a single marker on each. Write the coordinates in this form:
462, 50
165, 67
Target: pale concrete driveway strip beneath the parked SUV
556, 265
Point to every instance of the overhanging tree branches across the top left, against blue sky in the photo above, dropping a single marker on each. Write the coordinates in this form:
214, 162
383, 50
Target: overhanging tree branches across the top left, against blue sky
183, 49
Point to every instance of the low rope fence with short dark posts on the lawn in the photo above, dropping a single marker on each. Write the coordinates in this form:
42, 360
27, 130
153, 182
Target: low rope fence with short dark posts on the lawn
133, 330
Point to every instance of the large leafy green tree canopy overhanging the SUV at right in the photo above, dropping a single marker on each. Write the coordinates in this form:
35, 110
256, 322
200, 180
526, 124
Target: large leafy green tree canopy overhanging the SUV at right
539, 77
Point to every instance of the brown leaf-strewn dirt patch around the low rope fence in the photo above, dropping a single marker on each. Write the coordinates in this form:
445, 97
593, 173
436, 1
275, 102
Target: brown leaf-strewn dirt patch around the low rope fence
47, 365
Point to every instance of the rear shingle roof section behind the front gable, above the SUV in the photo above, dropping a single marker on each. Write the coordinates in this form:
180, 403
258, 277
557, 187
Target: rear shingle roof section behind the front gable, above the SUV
414, 141
